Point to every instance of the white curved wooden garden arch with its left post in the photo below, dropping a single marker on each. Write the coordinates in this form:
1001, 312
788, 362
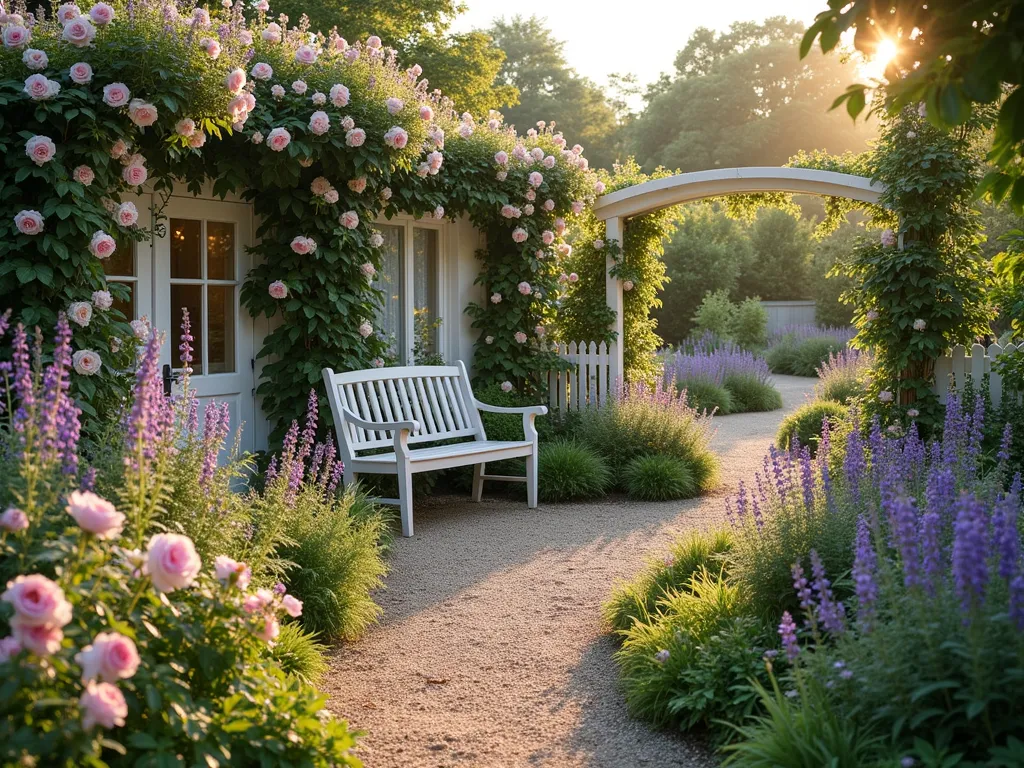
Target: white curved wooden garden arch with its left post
617, 207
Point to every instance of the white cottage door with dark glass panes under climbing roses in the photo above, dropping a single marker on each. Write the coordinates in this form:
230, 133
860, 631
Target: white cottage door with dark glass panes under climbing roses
200, 261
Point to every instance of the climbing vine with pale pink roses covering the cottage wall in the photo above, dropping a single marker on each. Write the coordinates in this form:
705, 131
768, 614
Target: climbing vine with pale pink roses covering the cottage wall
323, 137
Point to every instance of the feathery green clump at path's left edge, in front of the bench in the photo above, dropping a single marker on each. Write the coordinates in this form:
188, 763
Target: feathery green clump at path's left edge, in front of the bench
337, 559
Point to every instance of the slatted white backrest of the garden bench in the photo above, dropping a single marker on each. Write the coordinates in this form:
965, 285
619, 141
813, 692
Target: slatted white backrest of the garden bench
440, 398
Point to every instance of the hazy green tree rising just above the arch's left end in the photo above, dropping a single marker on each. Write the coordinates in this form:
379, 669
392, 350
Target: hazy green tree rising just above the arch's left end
551, 91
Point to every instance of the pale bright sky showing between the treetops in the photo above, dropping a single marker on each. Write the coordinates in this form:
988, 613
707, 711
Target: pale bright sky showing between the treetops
632, 36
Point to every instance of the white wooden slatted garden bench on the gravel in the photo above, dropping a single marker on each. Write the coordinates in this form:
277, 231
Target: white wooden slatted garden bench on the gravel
400, 408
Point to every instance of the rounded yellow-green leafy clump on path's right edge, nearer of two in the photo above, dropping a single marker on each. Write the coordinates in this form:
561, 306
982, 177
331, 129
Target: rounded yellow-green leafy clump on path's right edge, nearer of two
689, 666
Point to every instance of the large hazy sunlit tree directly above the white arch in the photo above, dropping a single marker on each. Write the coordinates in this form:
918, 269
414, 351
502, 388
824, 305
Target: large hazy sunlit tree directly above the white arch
742, 99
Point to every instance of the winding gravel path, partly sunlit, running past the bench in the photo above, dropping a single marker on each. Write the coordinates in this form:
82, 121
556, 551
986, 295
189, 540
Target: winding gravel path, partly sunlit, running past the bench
491, 651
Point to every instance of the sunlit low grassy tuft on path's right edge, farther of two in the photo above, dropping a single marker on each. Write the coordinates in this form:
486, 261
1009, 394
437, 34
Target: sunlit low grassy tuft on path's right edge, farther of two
638, 600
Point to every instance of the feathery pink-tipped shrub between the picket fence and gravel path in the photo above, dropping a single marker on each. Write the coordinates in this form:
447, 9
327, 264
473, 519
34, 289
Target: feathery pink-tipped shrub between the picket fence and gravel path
645, 422
